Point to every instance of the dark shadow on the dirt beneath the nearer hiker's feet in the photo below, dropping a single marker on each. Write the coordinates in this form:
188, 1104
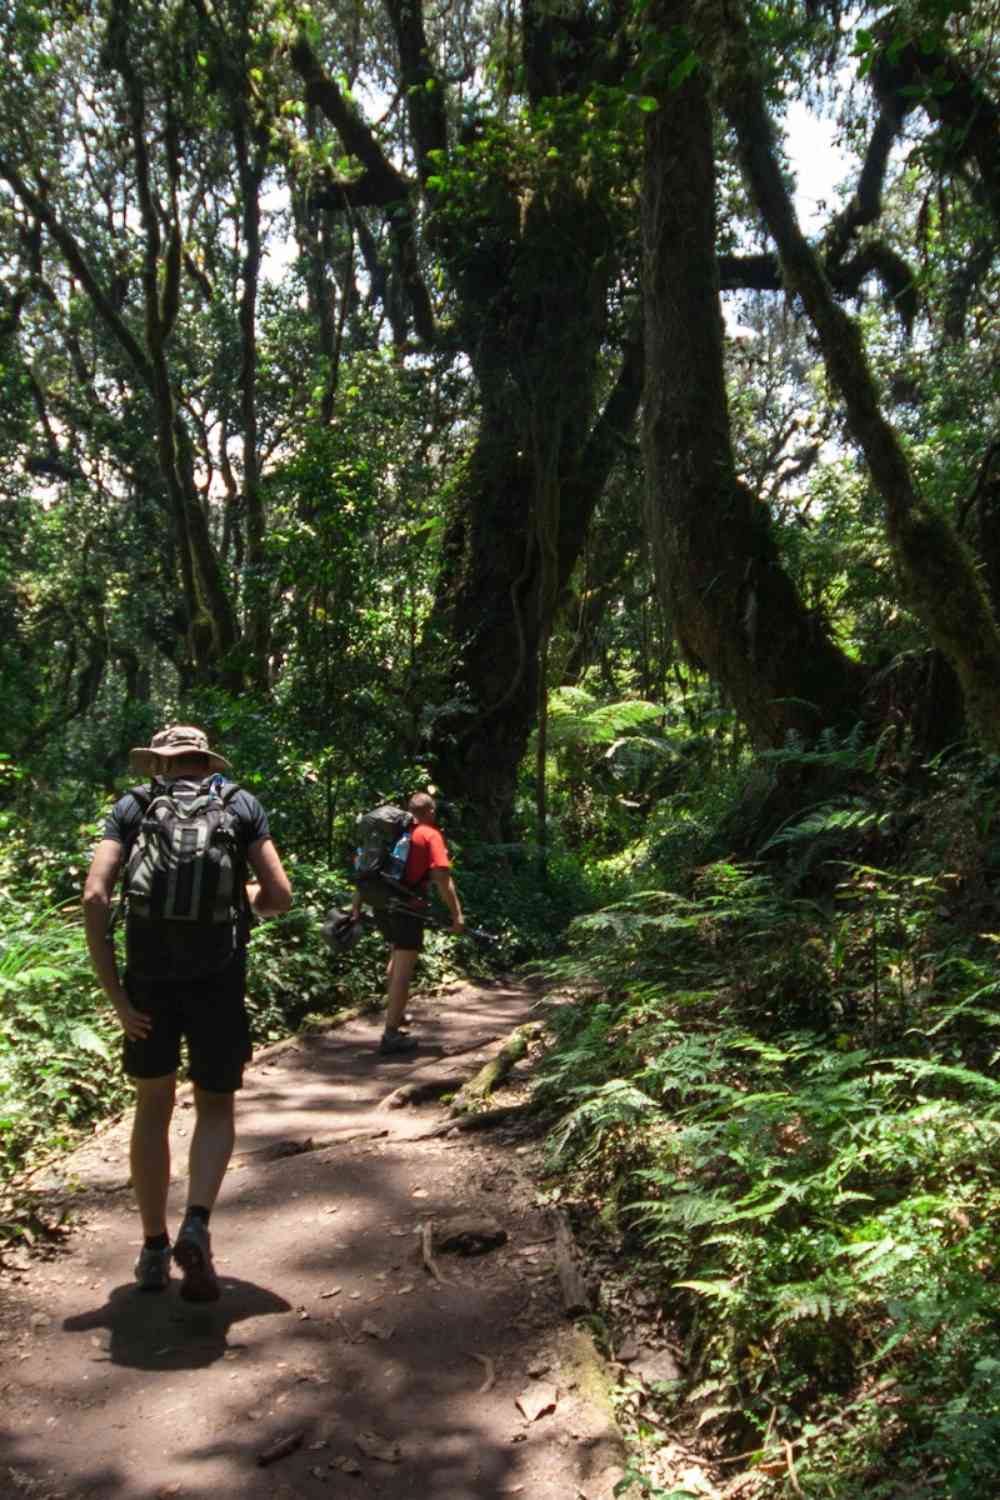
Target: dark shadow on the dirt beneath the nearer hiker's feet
158, 1331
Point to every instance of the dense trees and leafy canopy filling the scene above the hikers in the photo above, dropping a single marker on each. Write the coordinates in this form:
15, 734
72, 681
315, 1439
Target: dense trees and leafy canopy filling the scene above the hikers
398, 364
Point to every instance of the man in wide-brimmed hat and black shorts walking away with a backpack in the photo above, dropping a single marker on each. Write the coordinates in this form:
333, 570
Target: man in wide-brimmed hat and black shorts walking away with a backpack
206, 1006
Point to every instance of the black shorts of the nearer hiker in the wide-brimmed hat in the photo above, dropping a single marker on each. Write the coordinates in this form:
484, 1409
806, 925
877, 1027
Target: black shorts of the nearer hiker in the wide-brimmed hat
209, 1013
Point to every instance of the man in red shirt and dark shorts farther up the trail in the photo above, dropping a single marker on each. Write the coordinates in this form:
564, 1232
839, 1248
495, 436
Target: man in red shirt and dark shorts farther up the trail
428, 863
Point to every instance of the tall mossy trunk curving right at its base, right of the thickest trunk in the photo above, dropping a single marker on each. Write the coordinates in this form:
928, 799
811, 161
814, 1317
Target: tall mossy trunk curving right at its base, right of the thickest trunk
734, 608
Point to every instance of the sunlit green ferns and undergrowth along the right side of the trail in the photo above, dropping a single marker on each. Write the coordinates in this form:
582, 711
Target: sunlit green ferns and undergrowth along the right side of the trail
783, 1112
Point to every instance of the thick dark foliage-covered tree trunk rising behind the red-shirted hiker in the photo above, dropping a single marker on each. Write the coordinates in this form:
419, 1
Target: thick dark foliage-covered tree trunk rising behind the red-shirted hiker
528, 488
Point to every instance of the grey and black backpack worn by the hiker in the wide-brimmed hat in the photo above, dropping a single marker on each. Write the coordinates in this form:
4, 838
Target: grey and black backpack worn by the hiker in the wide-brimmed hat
185, 881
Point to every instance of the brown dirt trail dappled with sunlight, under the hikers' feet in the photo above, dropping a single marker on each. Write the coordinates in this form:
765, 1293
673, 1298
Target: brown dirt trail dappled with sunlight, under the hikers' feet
329, 1325
